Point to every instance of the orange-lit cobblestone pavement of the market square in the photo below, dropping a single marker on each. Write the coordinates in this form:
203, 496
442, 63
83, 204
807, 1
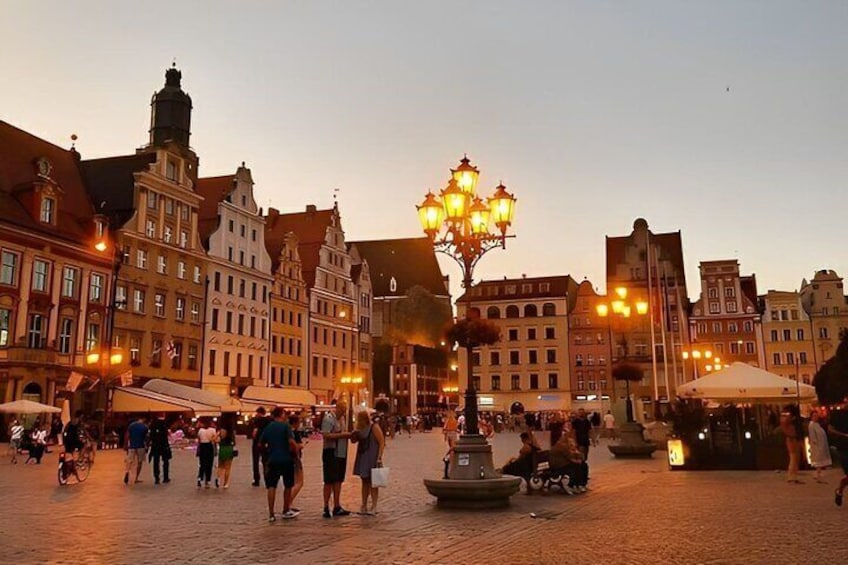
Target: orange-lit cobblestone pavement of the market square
636, 512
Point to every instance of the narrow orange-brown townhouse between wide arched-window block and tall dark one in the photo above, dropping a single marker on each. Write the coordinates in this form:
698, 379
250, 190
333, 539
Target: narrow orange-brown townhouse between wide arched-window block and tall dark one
590, 354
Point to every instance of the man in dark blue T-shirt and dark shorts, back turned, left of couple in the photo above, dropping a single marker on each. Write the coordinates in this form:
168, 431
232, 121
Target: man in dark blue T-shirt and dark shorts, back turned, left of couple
277, 440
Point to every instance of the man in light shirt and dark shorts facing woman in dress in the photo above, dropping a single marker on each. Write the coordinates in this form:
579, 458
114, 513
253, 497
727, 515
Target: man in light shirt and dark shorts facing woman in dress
334, 458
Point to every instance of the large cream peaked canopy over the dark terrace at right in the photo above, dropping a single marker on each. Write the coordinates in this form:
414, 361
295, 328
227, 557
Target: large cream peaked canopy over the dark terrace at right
745, 383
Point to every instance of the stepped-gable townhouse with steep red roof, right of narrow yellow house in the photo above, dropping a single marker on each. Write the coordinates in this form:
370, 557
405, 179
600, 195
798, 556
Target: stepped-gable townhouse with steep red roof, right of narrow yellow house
332, 342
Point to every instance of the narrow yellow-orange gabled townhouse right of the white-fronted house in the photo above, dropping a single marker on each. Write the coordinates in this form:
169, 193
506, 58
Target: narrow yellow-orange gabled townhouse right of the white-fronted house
289, 321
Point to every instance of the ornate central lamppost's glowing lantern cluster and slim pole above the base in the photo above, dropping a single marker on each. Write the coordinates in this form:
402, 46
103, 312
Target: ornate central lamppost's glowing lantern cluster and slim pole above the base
458, 223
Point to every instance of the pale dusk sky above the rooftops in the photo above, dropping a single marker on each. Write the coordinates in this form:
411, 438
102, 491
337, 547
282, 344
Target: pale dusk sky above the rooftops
593, 113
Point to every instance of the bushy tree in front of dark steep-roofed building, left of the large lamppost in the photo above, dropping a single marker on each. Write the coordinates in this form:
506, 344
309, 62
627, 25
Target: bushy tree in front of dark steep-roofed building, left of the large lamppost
418, 318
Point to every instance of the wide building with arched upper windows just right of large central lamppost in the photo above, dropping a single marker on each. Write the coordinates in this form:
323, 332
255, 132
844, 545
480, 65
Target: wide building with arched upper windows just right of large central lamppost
530, 364
